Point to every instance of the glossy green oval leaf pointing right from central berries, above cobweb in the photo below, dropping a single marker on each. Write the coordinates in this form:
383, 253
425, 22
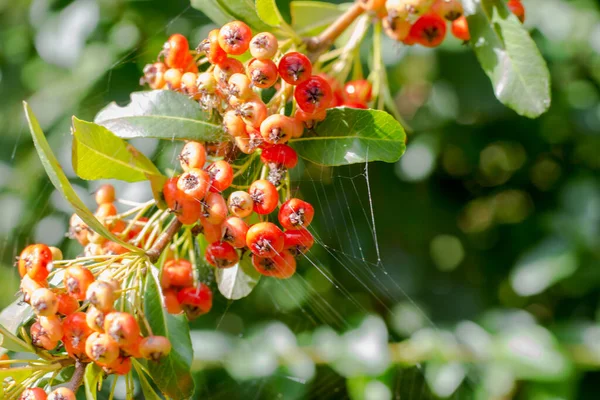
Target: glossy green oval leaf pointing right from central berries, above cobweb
350, 136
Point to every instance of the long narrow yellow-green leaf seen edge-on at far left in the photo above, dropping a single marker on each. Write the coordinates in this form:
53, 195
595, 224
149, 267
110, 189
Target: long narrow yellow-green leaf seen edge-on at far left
61, 183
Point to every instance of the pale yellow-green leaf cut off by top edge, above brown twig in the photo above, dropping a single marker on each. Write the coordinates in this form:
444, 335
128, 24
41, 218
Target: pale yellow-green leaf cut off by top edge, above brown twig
311, 17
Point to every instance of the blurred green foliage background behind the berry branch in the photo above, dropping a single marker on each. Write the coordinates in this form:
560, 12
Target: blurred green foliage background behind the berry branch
486, 234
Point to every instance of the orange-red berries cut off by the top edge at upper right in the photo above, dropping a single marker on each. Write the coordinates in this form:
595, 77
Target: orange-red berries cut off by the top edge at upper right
424, 21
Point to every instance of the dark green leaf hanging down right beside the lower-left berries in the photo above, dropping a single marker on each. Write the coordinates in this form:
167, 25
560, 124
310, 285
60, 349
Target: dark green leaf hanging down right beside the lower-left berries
172, 373
